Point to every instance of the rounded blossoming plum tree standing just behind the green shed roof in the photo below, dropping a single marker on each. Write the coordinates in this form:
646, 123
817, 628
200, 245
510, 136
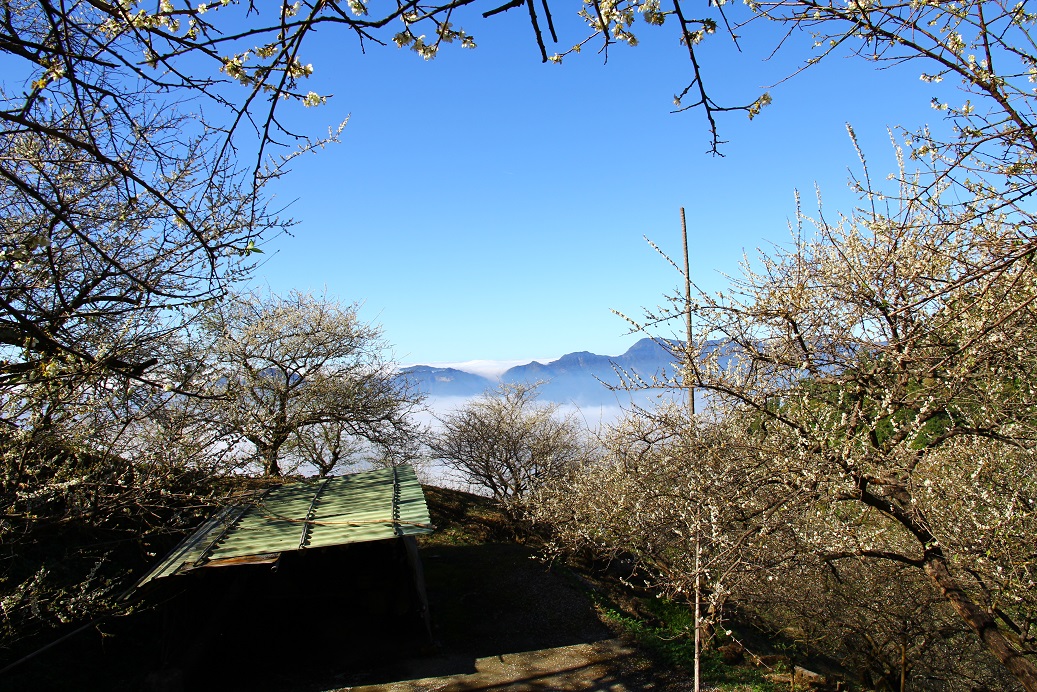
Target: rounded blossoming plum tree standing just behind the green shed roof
279, 366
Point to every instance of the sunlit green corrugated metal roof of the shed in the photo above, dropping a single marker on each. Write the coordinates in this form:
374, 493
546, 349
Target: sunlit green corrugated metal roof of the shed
374, 506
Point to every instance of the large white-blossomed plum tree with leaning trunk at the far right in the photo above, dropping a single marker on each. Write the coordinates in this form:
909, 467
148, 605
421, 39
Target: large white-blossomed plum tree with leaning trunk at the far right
887, 363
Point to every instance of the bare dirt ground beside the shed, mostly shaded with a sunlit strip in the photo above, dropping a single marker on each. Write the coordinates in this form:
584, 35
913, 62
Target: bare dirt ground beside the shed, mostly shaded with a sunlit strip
503, 621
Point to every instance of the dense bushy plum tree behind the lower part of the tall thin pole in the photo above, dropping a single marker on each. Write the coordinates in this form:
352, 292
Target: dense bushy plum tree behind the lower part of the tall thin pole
694, 504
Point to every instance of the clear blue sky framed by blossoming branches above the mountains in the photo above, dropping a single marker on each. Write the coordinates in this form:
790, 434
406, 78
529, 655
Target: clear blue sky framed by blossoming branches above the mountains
485, 206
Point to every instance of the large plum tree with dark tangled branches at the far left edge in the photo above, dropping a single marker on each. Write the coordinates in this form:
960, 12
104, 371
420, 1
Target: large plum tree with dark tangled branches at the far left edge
98, 279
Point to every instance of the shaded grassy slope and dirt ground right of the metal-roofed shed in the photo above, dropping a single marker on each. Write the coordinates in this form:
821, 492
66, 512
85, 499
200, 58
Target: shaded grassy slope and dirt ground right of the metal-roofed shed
506, 620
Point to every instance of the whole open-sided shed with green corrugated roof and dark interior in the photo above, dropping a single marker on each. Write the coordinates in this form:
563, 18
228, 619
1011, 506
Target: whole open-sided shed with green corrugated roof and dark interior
334, 561
